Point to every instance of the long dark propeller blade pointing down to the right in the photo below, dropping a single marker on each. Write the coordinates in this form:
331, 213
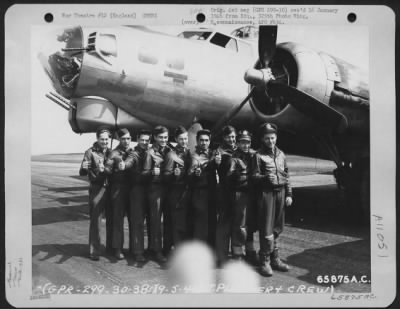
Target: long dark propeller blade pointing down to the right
310, 106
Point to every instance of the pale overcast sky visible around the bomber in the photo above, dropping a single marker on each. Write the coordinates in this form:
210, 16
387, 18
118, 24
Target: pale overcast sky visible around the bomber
51, 132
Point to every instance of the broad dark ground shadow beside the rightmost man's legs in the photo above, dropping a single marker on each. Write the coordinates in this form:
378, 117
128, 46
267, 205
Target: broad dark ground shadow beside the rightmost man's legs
322, 208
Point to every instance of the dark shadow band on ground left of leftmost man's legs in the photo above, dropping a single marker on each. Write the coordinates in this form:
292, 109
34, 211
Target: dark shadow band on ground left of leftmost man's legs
60, 214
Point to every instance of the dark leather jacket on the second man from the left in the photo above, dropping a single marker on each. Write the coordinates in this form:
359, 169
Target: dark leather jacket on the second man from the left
111, 167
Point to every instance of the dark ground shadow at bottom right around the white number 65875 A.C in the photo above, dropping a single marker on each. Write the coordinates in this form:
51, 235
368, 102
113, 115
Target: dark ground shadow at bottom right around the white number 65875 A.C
349, 258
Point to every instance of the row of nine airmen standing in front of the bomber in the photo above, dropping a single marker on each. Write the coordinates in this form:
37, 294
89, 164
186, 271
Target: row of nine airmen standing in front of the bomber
220, 197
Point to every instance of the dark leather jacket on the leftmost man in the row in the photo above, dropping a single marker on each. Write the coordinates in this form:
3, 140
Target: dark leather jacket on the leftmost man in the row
94, 155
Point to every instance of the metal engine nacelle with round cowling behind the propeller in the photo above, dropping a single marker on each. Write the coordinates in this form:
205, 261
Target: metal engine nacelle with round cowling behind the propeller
331, 81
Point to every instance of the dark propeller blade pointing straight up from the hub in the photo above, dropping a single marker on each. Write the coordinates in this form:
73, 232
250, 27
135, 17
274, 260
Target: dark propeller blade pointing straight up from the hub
266, 44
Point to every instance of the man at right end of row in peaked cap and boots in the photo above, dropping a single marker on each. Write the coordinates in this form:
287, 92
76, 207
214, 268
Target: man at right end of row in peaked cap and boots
270, 171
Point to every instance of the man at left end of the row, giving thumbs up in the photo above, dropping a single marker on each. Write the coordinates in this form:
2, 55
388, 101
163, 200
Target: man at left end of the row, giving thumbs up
93, 166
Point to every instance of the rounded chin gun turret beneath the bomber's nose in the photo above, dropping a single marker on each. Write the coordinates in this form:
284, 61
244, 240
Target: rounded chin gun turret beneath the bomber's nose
93, 112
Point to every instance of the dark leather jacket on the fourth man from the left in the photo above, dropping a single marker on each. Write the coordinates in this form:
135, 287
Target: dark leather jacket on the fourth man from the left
154, 158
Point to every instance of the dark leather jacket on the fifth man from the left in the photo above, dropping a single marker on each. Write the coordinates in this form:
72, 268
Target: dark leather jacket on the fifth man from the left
178, 158
